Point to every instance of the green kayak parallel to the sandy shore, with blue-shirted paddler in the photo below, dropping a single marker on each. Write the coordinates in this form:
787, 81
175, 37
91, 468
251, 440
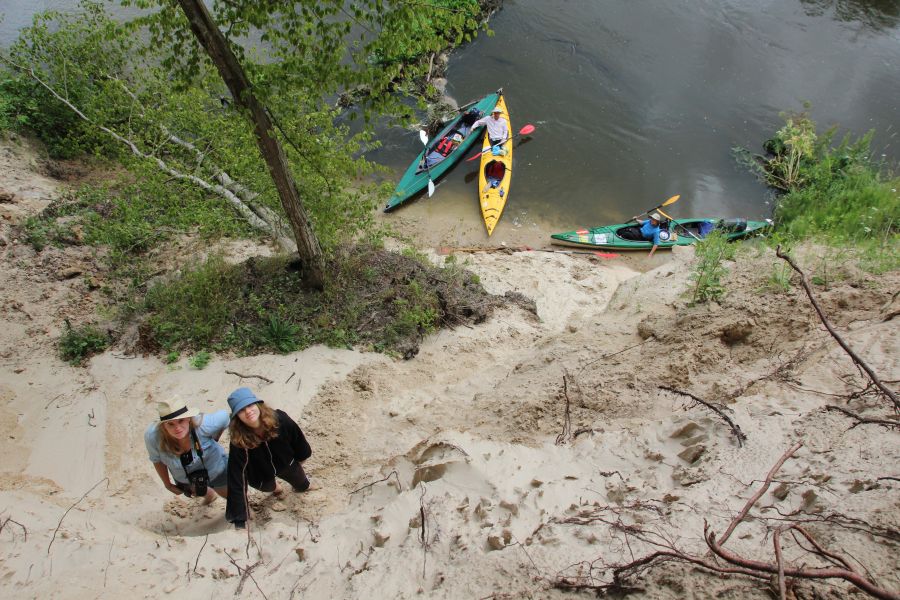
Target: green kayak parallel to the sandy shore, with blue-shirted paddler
627, 236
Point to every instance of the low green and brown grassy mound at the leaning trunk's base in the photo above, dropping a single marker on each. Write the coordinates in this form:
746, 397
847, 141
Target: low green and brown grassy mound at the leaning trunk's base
372, 297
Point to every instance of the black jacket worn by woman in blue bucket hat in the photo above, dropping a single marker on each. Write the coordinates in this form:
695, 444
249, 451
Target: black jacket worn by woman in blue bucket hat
254, 467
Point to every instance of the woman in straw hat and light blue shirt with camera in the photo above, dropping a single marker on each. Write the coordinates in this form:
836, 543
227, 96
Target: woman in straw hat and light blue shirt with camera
184, 443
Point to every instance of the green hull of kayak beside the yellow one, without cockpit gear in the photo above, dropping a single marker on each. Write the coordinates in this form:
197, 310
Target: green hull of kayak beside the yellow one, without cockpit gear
415, 179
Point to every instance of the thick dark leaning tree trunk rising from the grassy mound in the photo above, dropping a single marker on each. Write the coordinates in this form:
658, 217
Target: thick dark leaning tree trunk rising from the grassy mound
232, 73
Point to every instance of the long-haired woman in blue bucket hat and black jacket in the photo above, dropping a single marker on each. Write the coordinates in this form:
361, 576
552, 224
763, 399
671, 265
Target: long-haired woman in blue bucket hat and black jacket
265, 444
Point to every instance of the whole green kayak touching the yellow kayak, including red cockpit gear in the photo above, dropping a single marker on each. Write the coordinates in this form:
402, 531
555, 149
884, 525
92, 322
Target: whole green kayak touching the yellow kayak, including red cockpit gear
443, 151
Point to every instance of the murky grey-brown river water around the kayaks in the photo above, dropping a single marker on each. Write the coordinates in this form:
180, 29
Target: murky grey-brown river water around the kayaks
637, 100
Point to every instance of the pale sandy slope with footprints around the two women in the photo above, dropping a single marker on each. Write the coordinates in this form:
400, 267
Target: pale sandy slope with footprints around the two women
463, 434
